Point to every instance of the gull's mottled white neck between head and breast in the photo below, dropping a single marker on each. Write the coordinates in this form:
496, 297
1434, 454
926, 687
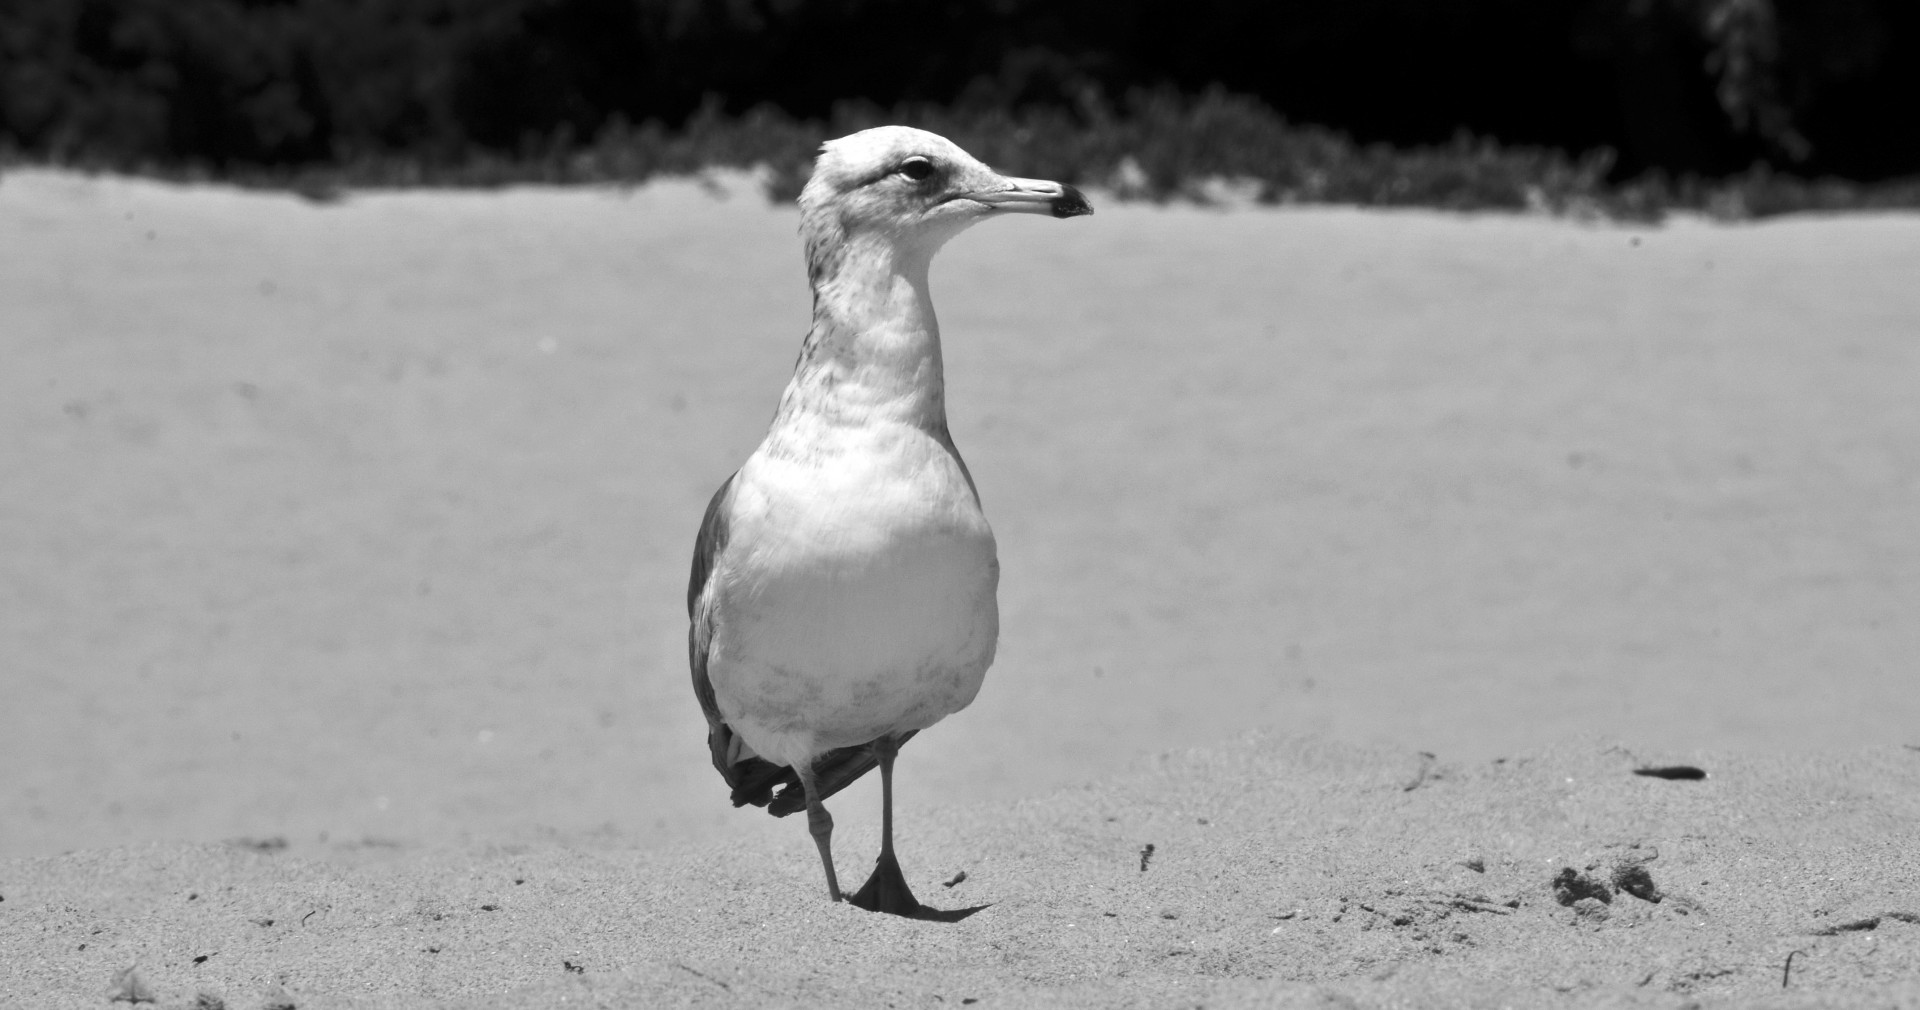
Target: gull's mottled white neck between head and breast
875, 350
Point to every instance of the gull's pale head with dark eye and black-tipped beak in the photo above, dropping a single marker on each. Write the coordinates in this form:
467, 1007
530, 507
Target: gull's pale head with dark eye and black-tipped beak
911, 191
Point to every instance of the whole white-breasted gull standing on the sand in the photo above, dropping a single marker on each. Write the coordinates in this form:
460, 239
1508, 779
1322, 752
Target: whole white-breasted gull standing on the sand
844, 579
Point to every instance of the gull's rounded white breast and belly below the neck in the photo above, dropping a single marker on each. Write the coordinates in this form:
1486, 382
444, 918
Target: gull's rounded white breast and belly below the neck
857, 596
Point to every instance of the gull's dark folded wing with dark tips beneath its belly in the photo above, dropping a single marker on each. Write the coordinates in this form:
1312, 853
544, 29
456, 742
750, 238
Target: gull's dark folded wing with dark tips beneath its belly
752, 779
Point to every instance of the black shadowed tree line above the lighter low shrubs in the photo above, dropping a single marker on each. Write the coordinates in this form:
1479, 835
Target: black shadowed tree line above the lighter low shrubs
1681, 87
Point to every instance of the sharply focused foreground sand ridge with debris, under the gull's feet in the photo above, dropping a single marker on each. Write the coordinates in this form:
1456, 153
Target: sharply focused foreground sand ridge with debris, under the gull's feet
1262, 875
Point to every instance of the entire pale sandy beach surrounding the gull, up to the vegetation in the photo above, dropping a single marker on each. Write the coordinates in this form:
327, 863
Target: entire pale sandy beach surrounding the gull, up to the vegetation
356, 535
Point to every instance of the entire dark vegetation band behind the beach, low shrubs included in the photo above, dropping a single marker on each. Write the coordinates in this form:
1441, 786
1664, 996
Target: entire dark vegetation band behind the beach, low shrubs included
1621, 107
